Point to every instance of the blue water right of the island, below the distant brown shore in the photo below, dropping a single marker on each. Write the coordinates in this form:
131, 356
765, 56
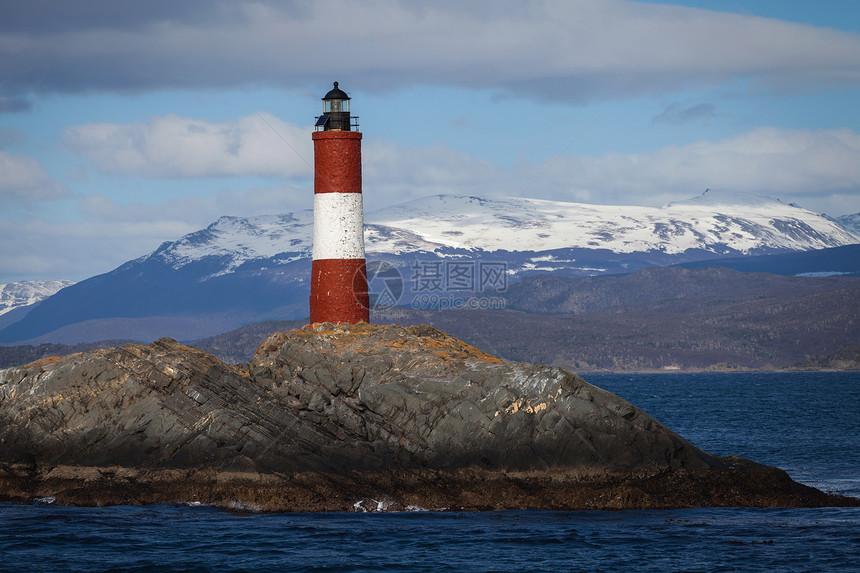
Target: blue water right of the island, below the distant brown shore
805, 423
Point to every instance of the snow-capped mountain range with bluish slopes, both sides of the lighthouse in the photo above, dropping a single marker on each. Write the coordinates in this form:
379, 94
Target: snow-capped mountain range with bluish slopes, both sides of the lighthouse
243, 270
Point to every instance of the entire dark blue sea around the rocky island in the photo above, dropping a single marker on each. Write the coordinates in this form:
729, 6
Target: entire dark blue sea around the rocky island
805, 423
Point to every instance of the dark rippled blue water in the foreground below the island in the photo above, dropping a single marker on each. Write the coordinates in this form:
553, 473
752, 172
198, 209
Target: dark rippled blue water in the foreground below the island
162, 538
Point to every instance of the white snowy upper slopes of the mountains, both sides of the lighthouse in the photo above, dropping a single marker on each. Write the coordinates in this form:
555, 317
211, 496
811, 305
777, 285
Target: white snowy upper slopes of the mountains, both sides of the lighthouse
720, 224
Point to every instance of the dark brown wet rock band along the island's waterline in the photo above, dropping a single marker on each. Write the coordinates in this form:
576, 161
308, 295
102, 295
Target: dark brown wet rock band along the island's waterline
744, 484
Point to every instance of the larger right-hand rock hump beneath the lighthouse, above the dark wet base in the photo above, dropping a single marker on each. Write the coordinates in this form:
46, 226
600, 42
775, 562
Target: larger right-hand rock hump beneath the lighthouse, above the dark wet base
419, 398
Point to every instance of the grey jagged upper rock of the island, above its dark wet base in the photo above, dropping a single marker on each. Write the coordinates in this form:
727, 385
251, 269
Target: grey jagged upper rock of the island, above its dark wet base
325, 399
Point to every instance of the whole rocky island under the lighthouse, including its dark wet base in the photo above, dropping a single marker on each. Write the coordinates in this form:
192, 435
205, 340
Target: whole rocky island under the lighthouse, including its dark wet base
351, 417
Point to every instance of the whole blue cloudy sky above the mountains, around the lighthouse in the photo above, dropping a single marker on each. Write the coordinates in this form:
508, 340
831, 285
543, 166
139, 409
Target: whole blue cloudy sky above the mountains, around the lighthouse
123, 125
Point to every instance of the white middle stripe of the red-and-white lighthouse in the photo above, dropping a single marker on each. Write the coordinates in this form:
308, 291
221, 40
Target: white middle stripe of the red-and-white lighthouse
338, 226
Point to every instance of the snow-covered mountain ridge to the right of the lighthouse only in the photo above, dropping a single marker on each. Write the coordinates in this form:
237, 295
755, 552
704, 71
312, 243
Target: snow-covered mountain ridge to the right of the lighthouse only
718, 223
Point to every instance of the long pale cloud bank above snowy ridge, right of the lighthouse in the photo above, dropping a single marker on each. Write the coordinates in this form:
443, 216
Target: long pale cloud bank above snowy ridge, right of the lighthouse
819, 169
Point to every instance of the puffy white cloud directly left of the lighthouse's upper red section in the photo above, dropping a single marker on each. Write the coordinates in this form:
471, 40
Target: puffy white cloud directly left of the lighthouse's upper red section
180, 147
